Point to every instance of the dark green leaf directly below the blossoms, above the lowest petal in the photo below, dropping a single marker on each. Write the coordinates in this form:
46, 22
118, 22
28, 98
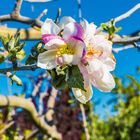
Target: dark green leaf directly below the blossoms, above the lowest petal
74, 77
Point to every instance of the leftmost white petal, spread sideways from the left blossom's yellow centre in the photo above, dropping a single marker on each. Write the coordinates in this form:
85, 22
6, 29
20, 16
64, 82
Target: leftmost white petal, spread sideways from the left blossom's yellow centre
47, 60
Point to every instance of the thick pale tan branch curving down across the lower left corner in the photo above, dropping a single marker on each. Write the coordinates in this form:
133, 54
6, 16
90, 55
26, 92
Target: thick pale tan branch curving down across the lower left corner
29, 107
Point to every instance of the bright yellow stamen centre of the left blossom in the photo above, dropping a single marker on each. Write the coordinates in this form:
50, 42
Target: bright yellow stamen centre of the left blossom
65, 49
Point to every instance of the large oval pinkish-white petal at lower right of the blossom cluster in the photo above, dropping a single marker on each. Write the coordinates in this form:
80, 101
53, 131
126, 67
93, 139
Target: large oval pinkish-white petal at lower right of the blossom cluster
101, 77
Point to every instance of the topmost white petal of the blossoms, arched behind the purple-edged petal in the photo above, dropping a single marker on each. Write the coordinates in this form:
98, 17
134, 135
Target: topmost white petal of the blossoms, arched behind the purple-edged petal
65, 20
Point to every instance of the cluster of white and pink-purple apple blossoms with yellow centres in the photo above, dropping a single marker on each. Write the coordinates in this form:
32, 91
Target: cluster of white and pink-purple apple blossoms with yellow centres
70, 43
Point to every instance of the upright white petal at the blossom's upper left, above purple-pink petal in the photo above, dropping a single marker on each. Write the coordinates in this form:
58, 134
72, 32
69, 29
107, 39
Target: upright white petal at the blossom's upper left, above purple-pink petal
49, 27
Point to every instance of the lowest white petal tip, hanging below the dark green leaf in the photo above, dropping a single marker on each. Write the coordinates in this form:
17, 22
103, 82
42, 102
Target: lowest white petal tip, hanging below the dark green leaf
83, 96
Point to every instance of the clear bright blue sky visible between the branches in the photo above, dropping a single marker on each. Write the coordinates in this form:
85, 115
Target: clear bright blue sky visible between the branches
97, 11
